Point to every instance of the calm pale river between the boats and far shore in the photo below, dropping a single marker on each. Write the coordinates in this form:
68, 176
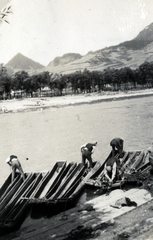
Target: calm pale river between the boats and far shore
57, 133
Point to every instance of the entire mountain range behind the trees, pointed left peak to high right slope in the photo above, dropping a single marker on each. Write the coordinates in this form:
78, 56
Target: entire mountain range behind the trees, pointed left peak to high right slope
127, 54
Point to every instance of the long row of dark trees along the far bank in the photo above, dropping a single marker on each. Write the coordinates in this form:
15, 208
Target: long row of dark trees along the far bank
22, 84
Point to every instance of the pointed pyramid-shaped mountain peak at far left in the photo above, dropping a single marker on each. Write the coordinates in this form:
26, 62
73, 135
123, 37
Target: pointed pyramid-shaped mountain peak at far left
20, 62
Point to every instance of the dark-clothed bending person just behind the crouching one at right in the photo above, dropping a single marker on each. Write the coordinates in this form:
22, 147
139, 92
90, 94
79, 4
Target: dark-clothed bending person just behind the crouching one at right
117, 144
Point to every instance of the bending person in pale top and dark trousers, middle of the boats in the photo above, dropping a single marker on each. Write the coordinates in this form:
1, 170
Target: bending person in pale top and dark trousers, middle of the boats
87, 151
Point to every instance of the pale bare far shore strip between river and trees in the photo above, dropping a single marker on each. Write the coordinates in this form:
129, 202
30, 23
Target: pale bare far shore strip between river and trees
34, 104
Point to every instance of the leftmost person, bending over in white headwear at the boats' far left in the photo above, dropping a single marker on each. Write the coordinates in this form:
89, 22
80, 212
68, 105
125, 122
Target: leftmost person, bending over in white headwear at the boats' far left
15, 164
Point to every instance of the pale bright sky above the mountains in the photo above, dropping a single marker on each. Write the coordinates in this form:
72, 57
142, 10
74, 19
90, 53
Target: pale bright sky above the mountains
44, 29
